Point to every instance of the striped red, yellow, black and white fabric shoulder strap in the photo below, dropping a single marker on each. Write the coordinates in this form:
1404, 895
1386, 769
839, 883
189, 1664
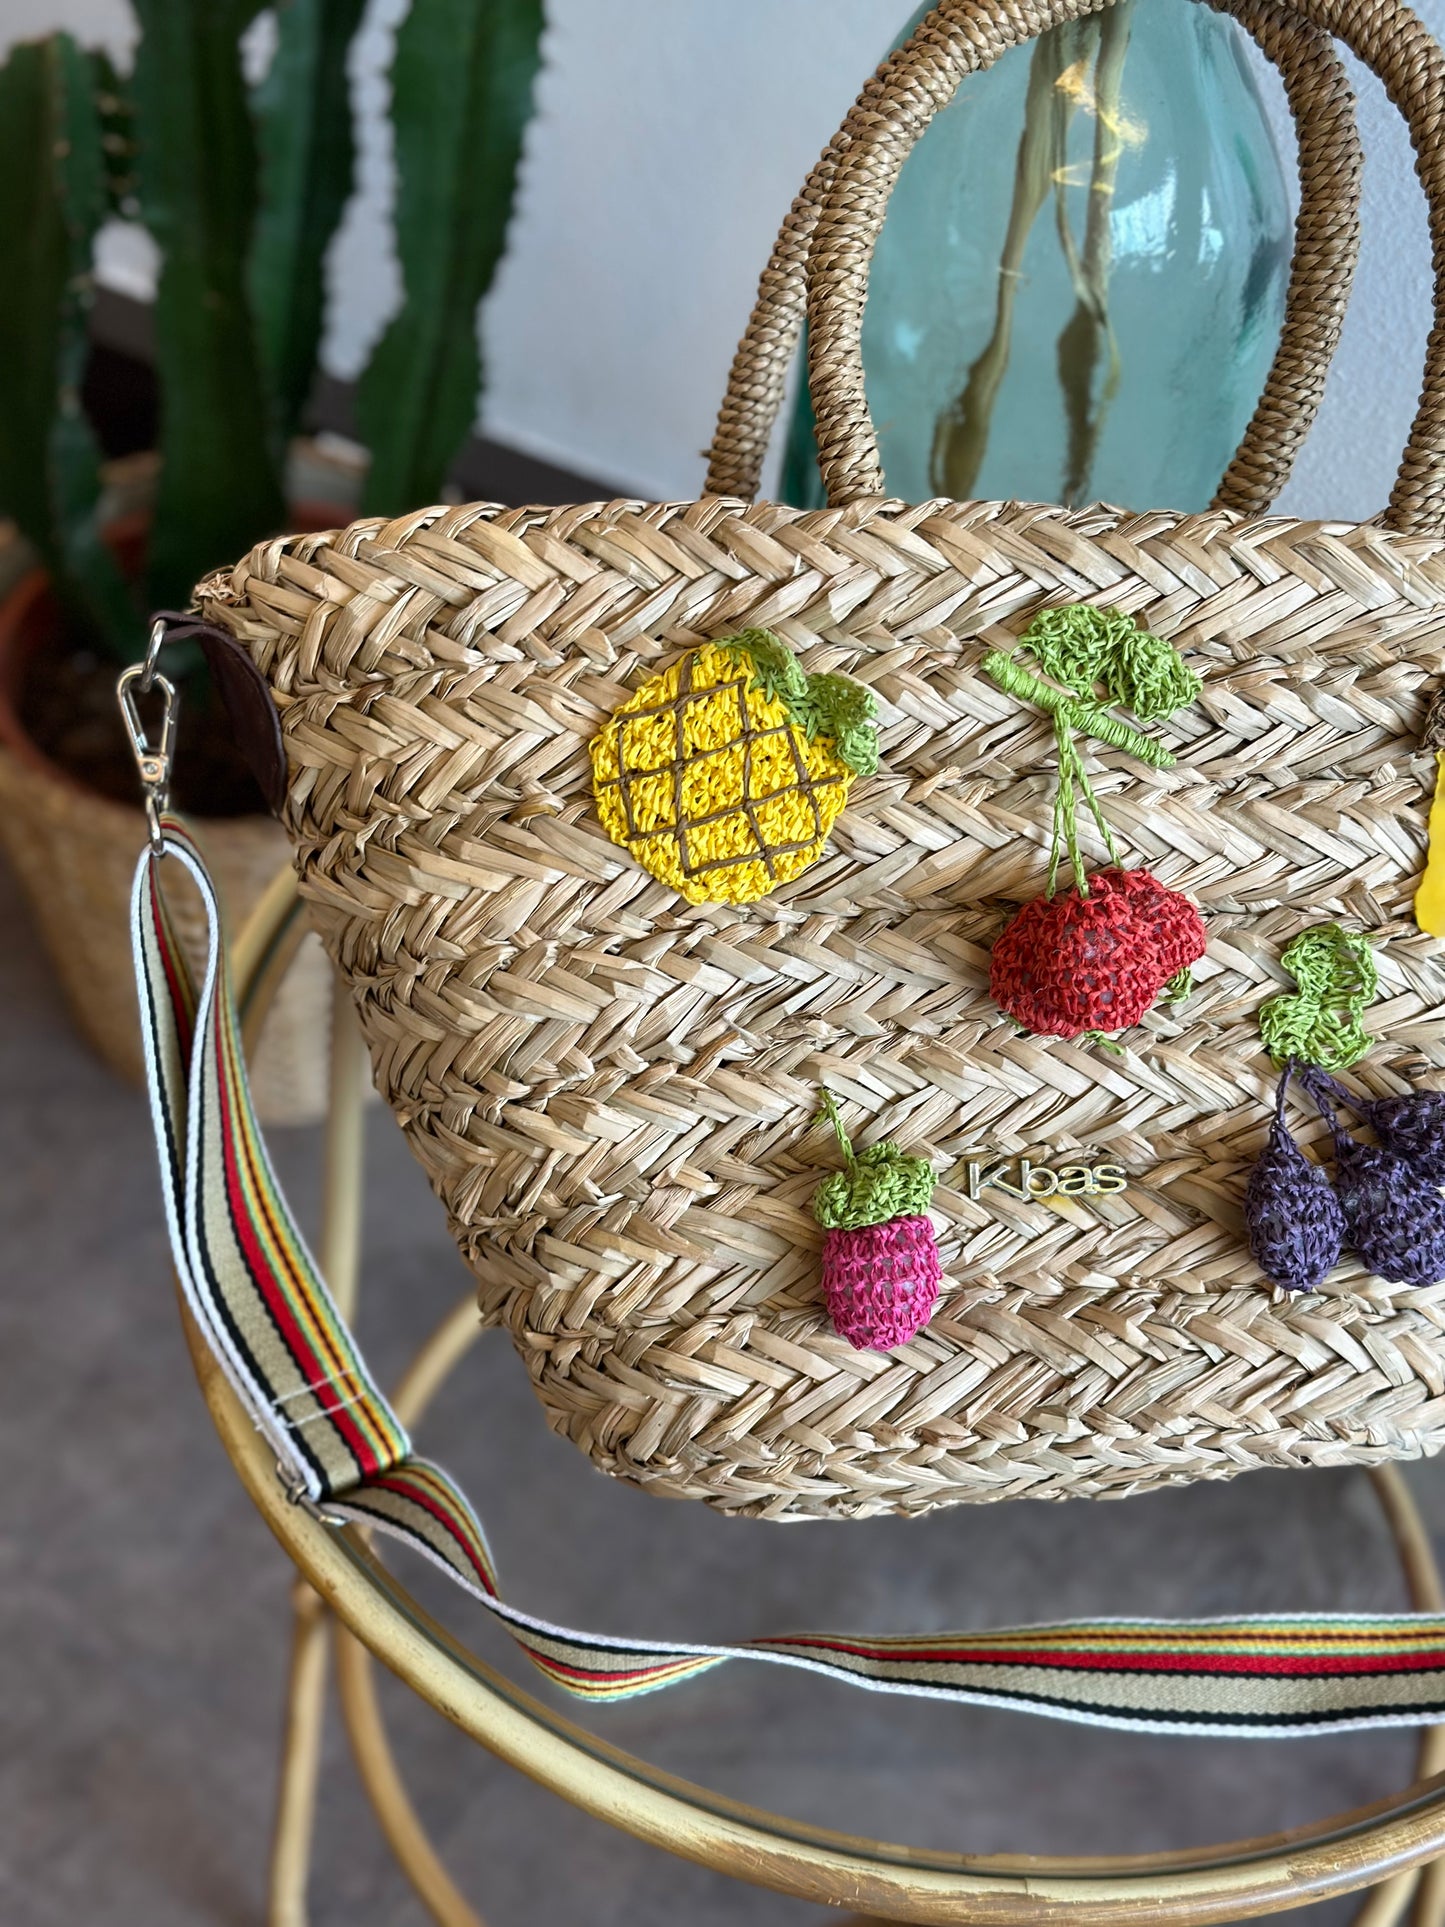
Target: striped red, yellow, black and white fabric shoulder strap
271, 1323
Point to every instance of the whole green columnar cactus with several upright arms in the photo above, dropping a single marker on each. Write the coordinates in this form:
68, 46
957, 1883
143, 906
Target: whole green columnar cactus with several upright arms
242, 196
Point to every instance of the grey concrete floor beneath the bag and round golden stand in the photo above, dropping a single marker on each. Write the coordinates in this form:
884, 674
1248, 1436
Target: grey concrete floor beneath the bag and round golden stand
144, 1608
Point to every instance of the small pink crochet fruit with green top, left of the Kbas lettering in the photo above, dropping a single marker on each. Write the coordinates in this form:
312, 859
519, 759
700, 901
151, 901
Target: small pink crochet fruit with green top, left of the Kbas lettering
880, 1257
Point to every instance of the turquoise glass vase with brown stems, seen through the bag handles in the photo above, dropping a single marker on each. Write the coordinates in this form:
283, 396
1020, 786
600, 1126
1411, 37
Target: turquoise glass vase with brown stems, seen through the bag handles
1082, 277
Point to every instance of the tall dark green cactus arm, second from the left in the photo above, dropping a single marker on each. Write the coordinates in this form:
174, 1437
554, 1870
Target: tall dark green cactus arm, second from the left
221, 487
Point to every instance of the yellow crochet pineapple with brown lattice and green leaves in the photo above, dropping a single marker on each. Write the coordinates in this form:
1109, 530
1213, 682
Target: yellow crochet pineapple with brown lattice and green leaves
725, 774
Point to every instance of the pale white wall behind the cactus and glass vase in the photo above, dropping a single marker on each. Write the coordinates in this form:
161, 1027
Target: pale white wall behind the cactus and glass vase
670, 140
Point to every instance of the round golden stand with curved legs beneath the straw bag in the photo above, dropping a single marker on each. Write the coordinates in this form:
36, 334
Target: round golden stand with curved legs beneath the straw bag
348, 1593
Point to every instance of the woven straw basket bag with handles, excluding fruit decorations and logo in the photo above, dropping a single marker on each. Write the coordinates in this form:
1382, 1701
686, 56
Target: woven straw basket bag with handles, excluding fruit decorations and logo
614, 1092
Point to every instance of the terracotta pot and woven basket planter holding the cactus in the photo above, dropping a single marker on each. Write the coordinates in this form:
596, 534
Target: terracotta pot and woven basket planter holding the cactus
74, 855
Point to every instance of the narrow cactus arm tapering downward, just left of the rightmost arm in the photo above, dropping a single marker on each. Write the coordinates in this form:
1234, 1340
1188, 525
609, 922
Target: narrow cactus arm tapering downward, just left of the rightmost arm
307, 151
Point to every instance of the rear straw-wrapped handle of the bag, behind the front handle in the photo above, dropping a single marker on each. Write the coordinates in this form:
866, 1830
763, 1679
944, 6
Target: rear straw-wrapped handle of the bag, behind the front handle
1327, 248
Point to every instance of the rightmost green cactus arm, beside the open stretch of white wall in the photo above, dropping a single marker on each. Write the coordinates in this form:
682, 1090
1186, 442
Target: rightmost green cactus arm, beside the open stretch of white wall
461, 101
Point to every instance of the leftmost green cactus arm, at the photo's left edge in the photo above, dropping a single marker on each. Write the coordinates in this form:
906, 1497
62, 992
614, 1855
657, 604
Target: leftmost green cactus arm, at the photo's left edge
53, 199
